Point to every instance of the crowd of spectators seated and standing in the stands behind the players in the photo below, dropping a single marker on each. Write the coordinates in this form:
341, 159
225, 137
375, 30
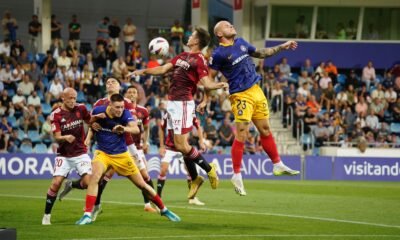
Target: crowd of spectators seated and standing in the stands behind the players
333, 107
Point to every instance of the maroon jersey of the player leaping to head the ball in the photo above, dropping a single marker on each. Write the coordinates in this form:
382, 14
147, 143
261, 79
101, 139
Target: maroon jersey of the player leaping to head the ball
188, 69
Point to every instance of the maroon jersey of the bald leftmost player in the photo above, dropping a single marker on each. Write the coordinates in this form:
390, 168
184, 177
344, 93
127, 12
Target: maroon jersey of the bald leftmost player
70, 123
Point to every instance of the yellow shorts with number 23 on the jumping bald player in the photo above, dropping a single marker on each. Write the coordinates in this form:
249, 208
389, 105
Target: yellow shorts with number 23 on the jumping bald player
249, 104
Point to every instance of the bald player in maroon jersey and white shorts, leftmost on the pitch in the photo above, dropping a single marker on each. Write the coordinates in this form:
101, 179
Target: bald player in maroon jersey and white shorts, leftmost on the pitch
67, 126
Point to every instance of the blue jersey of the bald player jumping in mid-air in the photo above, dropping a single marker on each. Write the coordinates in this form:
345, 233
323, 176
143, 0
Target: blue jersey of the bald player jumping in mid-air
235, 63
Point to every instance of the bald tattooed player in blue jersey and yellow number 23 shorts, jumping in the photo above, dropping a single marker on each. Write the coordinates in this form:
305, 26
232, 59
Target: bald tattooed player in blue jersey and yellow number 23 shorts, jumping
233, 59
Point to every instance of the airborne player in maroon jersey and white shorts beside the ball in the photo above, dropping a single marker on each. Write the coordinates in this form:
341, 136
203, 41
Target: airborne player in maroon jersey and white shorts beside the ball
188, 69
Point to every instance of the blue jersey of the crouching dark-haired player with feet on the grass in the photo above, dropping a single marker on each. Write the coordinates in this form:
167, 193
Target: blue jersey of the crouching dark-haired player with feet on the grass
107, 141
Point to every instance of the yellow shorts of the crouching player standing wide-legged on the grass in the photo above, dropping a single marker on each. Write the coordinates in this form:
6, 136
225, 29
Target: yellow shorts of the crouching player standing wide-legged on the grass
122, 163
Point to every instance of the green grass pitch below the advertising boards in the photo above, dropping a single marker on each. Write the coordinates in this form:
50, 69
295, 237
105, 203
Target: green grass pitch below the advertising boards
271, 210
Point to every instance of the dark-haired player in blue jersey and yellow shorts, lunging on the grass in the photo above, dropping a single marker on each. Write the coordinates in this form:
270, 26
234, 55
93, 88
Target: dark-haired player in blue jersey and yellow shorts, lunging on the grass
112, 152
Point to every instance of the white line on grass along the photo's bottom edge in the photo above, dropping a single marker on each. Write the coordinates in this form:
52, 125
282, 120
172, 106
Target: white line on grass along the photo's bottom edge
247, 236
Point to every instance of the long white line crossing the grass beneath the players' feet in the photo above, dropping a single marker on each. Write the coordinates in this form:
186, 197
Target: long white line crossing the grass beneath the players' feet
230, 211
